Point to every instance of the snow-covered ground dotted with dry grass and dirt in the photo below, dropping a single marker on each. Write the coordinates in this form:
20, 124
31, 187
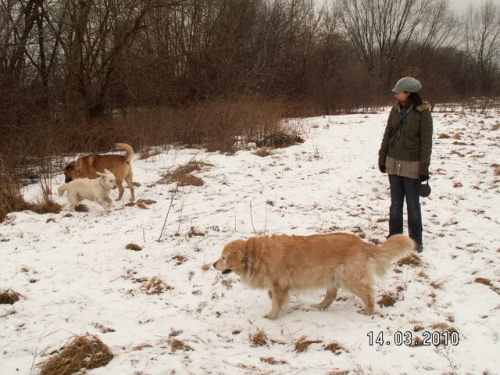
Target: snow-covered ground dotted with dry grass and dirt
77, 277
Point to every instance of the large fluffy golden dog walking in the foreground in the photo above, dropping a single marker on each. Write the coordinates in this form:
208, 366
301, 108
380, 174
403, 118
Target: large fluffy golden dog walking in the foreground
287, 263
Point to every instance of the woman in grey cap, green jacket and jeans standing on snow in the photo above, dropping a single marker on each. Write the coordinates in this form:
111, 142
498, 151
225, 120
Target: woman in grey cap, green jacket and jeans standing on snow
405, 155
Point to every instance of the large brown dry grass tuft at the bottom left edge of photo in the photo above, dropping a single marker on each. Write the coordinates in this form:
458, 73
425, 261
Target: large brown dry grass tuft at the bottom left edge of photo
79, 354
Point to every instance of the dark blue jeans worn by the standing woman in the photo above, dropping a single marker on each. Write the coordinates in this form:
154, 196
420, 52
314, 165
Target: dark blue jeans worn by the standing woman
401, 188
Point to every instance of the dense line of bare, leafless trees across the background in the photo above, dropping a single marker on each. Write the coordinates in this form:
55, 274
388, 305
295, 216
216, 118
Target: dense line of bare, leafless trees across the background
85, 60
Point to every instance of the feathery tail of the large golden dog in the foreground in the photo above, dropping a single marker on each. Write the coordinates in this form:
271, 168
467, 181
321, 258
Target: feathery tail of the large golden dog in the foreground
395, 247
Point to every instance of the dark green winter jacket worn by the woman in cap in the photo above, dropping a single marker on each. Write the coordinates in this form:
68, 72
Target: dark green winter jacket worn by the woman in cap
413, 141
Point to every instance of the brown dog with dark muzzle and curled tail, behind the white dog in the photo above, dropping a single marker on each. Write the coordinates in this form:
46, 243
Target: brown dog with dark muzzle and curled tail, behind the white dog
88, 166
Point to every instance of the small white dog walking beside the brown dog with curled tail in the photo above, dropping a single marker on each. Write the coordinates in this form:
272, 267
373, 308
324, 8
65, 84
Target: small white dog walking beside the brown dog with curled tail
96, 189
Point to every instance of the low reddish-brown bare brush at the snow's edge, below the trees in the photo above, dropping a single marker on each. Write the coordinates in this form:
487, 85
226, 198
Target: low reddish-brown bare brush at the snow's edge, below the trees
213, 124
